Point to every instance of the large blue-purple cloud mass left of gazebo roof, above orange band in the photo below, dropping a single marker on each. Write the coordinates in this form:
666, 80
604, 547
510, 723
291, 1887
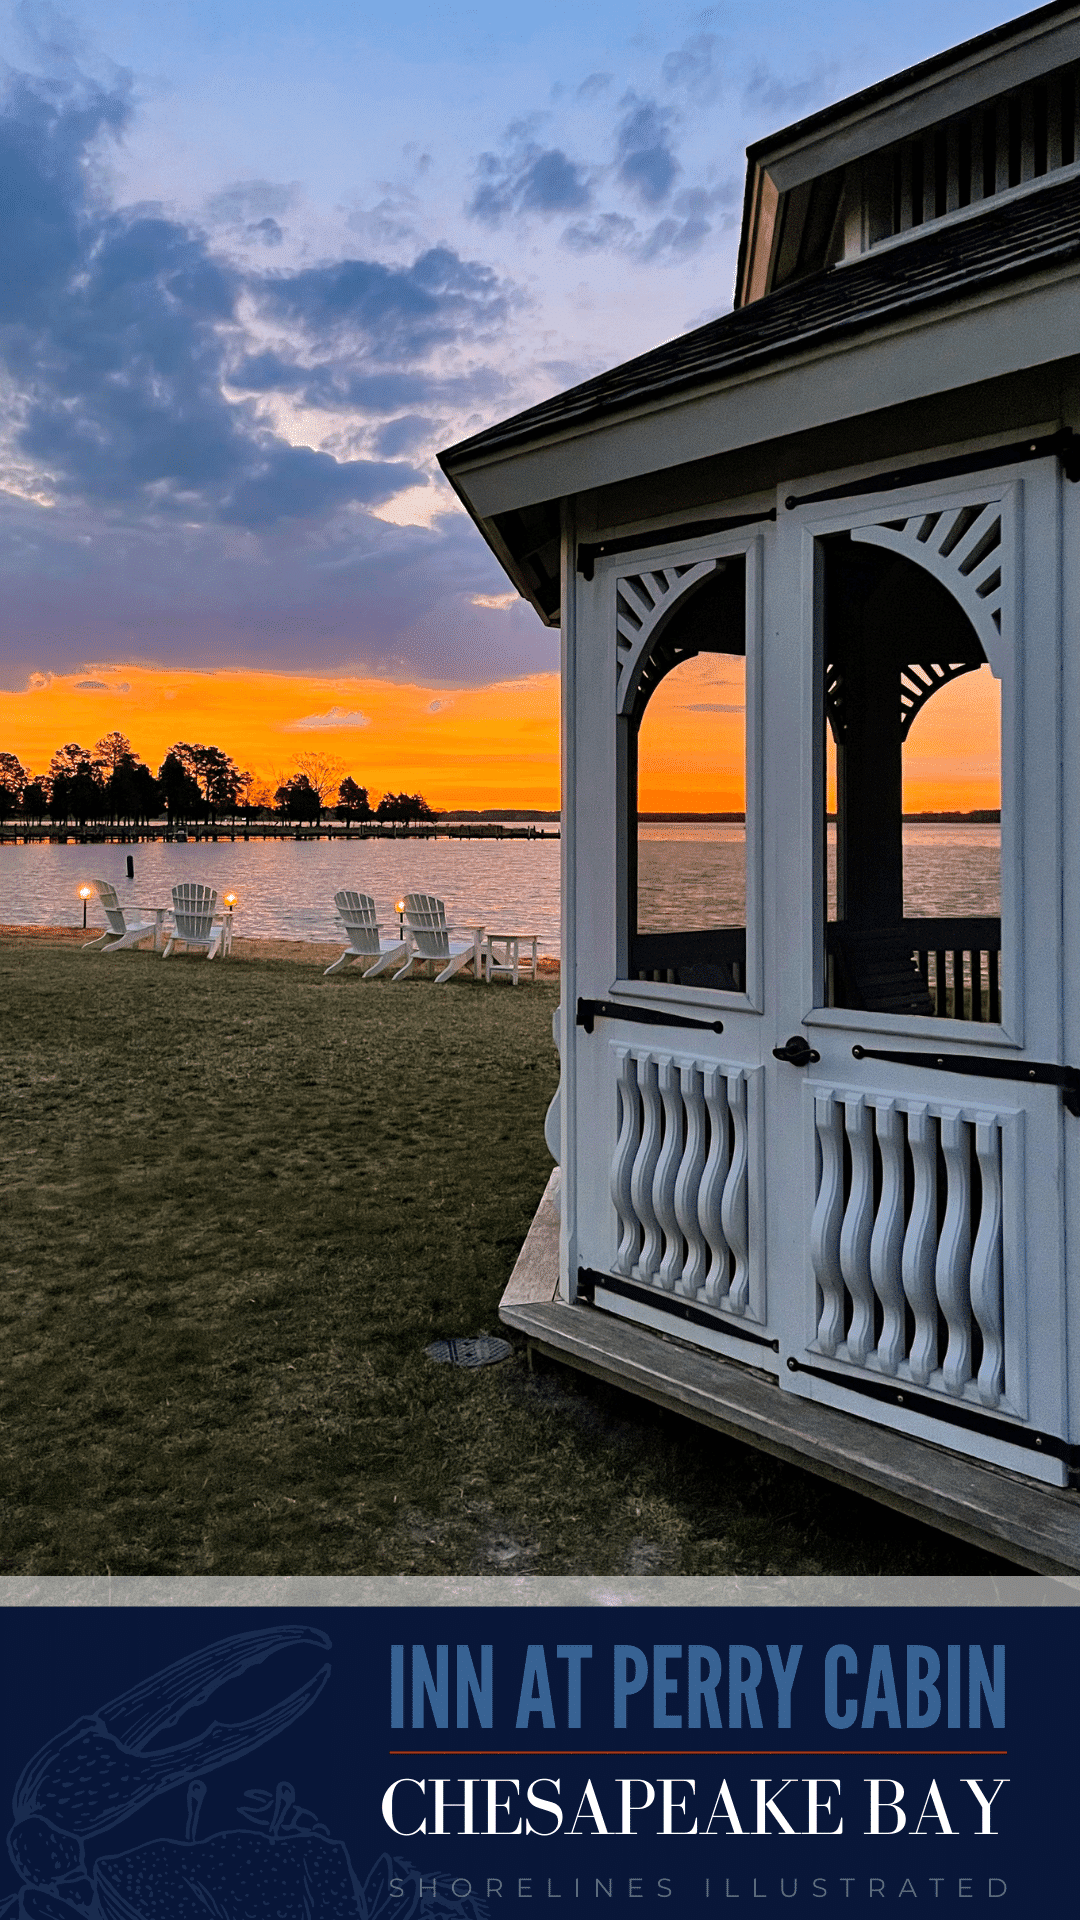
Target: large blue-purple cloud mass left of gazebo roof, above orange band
159, 393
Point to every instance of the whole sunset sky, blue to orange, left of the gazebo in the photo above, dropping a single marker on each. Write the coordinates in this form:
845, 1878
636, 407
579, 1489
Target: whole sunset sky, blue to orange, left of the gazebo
262, 260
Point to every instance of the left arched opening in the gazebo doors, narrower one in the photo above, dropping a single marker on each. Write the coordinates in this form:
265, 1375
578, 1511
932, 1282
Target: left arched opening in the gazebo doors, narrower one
685, 746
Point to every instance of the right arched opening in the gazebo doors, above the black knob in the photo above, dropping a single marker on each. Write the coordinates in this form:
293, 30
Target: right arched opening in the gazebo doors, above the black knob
912, 794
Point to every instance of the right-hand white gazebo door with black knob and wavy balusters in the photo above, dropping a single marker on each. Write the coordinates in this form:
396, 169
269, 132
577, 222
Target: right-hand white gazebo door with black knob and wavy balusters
921, 1276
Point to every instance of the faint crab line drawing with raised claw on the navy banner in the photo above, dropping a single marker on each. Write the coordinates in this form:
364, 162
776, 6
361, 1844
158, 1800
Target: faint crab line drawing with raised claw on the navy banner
103, 1769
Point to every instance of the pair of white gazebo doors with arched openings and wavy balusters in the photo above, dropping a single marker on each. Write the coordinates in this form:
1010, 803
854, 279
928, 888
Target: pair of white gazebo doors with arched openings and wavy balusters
756, 1170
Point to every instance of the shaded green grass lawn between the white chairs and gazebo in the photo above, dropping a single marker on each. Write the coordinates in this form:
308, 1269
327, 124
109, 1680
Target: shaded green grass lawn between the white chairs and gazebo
239, 1205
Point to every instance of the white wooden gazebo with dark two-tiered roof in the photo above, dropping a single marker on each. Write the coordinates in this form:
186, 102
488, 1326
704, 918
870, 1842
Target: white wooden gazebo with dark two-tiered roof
820, 1143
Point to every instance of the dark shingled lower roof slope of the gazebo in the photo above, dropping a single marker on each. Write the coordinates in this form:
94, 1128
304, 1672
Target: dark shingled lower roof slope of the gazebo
1039, 231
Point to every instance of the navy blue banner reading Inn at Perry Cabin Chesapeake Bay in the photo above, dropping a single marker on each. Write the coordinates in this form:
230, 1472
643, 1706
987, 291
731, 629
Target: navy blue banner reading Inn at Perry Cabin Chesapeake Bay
410, 1762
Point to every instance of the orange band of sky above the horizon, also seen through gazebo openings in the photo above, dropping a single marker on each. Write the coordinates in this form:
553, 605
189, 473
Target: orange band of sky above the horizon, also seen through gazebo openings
491, 746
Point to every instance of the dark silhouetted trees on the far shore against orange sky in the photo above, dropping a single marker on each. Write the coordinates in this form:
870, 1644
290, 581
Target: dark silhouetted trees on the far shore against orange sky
195, 786
